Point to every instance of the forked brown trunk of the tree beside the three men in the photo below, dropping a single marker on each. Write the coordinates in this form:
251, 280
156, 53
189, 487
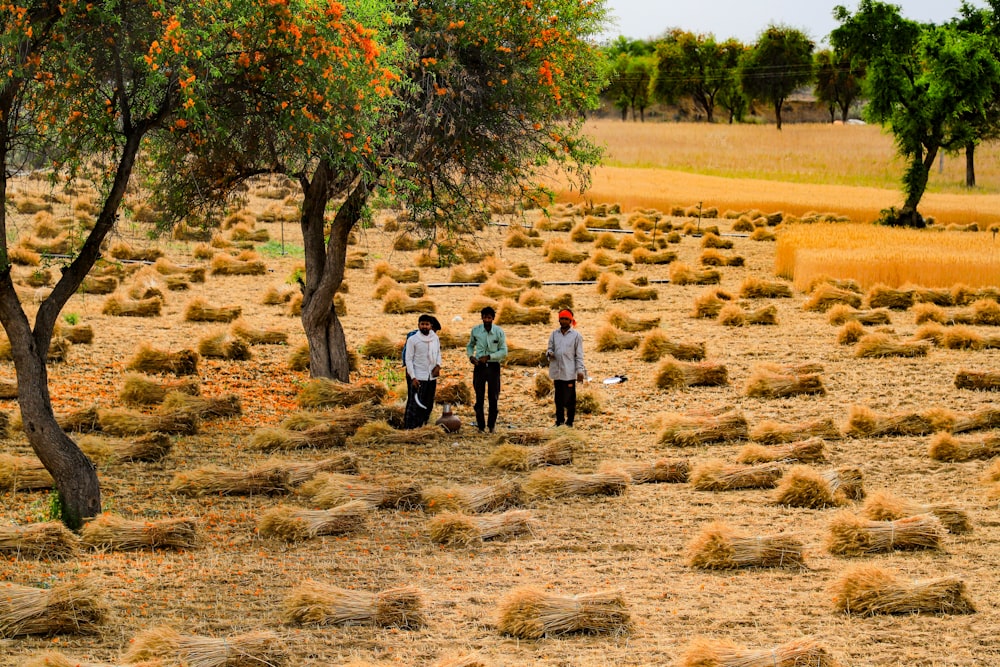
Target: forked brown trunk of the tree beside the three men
325, 263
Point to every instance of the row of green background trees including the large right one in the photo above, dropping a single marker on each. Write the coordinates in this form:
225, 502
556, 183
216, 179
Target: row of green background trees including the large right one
936, 87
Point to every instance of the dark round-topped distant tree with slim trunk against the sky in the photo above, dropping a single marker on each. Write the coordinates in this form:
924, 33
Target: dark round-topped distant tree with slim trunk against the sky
775, 65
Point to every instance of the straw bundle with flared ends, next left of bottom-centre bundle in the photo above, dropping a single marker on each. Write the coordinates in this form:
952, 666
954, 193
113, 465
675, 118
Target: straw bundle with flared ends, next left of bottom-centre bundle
314, 603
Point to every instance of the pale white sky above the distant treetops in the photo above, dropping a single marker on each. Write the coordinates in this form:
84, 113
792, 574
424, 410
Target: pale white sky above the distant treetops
745, 19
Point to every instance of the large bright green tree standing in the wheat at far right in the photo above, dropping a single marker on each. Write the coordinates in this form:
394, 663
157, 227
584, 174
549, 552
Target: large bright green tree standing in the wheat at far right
924, 81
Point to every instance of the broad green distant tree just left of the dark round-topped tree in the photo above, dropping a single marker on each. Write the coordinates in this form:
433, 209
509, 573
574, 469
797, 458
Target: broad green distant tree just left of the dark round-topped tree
695, 66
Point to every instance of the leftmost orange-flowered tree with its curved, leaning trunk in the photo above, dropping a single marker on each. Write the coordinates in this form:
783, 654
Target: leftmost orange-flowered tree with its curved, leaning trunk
85, 87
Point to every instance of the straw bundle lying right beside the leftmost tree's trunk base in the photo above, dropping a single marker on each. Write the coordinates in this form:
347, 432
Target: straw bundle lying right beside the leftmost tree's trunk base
113, 533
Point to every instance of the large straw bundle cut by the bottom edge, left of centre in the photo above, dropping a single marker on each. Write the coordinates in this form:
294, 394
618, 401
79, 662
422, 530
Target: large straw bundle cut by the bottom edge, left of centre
247, 650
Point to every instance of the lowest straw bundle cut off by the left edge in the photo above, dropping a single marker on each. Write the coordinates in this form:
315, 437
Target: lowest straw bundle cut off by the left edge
65, 608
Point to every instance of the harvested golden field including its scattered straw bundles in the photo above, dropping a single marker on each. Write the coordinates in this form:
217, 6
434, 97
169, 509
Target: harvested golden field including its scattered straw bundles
623, 569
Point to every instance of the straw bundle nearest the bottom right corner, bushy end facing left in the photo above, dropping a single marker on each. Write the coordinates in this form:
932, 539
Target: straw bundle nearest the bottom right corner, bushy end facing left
870, 590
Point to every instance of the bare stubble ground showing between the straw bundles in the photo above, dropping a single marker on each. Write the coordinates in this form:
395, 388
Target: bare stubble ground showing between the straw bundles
635, 543
